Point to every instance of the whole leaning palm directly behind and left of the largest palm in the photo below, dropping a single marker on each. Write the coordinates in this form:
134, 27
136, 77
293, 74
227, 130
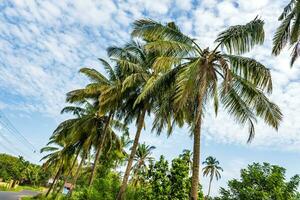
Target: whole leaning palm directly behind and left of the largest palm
136, 65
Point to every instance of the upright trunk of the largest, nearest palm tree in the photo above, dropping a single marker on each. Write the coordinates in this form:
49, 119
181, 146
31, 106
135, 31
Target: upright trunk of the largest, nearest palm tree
197, 142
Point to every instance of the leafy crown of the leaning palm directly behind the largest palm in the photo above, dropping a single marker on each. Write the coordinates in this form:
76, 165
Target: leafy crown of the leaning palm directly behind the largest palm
135, 65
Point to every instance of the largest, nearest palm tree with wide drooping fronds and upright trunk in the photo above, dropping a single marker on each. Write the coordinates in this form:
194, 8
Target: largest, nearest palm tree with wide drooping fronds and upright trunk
204, 74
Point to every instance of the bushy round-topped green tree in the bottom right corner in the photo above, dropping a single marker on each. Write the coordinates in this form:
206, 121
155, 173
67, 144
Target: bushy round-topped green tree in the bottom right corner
261, 182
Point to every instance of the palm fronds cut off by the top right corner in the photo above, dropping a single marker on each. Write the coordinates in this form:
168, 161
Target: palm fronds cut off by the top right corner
288, 31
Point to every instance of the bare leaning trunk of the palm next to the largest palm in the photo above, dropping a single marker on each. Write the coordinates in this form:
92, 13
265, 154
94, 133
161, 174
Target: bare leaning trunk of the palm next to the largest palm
132, 154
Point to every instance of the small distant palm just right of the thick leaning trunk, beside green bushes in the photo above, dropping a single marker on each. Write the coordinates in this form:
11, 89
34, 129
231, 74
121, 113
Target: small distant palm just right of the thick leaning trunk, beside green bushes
142, 156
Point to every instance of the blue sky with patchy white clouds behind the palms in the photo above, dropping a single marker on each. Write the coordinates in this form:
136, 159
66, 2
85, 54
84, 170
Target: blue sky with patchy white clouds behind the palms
43, 44
